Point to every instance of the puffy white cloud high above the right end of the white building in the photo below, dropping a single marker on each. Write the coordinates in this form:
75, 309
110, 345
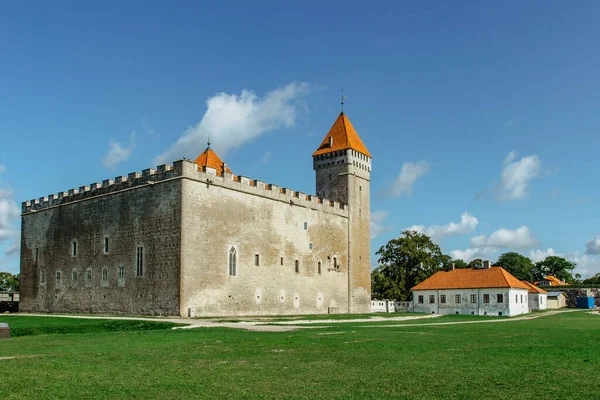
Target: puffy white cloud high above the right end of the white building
517, 175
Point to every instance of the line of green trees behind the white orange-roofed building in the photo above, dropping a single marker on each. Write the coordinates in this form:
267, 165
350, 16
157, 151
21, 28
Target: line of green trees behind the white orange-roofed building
413, 257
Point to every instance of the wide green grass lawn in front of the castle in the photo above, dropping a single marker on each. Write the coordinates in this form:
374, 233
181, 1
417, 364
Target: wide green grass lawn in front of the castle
553, 357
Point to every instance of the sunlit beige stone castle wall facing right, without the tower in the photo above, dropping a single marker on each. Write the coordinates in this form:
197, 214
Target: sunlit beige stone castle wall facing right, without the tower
218, 216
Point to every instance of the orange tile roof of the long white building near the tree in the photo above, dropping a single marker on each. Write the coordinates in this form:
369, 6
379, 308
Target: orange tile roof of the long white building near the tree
471, 278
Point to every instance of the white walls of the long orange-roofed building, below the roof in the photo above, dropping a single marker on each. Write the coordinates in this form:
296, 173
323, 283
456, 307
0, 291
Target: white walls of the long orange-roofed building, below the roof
472, 301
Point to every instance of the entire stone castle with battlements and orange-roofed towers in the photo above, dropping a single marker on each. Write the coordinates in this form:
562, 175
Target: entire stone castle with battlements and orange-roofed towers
193, 239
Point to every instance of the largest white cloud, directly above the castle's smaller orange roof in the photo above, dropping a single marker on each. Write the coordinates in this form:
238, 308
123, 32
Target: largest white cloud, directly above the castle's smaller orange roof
233, 120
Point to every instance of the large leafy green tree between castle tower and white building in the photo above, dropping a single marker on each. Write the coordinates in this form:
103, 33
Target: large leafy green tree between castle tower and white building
405, 262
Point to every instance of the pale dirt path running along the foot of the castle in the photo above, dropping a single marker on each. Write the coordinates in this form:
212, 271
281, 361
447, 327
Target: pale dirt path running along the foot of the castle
285, 326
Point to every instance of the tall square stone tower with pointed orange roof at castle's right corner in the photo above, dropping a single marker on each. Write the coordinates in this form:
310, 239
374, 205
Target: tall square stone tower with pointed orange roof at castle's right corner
343, 173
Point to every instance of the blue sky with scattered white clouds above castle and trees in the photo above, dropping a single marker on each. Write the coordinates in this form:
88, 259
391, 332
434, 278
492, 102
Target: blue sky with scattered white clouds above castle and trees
480, 112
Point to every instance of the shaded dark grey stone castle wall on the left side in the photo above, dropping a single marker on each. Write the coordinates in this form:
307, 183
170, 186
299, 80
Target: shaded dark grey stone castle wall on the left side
148, 216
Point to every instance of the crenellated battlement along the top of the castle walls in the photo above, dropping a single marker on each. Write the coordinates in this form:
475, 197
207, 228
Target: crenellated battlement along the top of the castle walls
185, 169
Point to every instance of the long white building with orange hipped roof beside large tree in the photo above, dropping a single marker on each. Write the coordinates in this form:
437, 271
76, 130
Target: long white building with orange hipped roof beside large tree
480, 291
